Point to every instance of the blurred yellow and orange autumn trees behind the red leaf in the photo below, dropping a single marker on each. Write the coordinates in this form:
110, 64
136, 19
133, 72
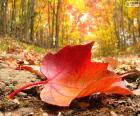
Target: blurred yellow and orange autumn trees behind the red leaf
52, 24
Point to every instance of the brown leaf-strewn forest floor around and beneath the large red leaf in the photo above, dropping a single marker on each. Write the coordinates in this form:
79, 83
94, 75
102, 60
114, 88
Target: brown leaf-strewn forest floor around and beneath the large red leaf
28, 103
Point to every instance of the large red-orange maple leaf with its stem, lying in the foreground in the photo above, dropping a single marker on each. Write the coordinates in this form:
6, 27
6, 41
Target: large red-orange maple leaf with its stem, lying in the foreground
70, 74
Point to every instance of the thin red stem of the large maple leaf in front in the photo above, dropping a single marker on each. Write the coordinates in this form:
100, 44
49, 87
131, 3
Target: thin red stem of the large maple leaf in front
10, 96
